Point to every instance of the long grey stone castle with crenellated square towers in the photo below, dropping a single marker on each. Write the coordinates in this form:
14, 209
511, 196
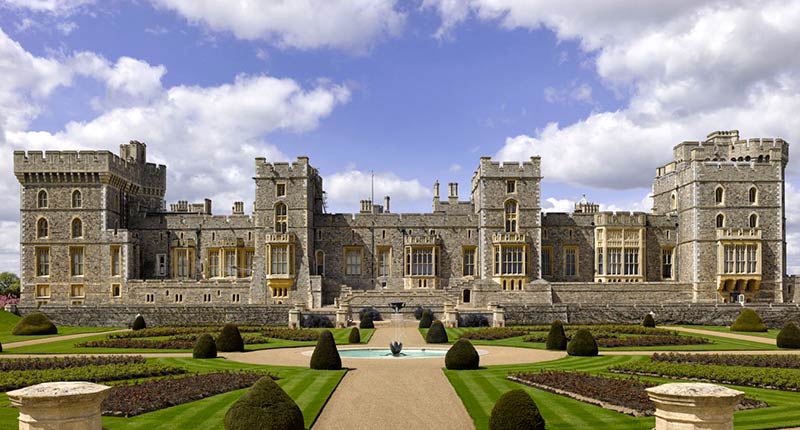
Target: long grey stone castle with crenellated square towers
95, 230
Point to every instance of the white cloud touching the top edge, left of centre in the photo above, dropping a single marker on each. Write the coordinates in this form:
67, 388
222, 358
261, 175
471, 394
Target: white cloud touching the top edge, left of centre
345, 24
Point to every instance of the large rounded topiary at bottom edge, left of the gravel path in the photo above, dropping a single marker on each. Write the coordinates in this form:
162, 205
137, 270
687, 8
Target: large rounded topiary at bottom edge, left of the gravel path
264, 406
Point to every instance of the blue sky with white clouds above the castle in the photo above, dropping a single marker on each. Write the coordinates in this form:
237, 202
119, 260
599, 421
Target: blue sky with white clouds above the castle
412, 90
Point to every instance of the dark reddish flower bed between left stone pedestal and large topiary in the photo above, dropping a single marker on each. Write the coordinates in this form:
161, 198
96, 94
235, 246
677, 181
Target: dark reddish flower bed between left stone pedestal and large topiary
139, 398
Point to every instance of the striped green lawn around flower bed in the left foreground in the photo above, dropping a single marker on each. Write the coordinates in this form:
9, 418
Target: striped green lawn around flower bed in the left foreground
309, 388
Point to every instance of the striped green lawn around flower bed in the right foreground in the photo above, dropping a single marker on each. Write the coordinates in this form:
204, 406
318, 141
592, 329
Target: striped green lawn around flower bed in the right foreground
480, 389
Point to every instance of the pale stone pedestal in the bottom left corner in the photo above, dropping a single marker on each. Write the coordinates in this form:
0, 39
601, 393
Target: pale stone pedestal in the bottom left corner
60, 406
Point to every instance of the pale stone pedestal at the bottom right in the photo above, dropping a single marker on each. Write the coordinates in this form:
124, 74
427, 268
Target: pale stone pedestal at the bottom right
694, 406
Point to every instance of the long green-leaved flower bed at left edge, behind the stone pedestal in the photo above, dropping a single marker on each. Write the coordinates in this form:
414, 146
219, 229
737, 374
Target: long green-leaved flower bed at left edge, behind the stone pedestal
13, 379
